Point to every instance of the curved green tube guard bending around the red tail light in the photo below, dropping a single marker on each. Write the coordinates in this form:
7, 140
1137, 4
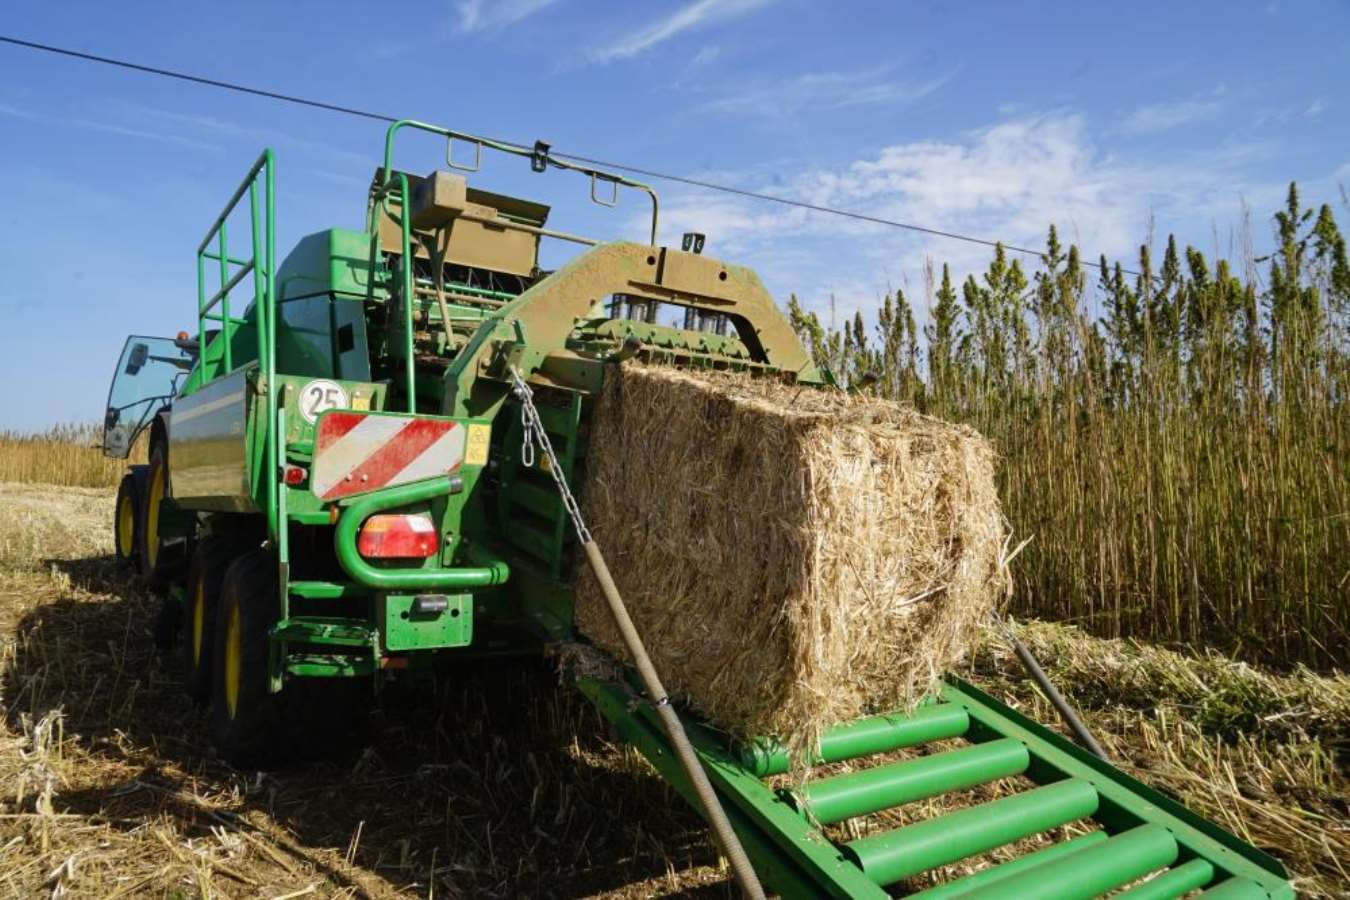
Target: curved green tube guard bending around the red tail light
489, 573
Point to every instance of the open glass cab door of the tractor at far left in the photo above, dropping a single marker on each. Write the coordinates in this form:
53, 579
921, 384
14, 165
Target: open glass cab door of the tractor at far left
144, 384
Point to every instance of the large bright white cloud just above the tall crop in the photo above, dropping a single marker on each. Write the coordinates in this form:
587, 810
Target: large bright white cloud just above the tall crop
1009, 181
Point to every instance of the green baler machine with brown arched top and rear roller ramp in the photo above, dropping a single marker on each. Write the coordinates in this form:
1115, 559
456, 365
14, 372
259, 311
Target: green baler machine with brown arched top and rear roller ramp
341, 486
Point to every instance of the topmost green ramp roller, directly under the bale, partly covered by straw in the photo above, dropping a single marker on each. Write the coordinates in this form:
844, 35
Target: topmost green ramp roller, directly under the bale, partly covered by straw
875, 735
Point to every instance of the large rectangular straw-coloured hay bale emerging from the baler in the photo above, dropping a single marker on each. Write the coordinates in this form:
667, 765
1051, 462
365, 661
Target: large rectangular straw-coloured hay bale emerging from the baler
793, 558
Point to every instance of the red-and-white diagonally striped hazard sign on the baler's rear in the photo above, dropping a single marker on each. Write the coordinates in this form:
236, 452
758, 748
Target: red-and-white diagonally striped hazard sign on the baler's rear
357, 453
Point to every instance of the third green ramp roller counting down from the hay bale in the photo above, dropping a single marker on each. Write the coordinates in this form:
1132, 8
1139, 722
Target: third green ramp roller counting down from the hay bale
897, 855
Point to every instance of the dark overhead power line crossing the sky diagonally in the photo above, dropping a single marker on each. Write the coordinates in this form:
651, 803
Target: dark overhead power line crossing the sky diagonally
592, 161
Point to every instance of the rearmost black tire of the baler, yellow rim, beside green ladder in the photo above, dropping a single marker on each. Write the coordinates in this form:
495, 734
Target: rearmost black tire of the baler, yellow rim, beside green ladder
252, 727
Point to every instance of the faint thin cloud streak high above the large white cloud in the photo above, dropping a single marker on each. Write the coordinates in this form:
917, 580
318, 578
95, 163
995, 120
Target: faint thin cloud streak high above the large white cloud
786, 98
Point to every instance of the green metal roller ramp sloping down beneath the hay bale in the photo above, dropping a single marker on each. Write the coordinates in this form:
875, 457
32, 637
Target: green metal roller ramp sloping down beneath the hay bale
1135, 832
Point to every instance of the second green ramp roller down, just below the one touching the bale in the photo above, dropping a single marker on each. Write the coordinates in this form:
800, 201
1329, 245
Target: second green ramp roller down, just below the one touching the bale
857, 794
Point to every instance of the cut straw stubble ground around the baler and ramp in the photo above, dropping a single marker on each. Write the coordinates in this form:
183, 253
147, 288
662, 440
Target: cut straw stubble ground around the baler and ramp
506, 785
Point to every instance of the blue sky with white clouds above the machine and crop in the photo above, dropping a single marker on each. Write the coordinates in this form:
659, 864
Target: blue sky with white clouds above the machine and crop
985, 118
